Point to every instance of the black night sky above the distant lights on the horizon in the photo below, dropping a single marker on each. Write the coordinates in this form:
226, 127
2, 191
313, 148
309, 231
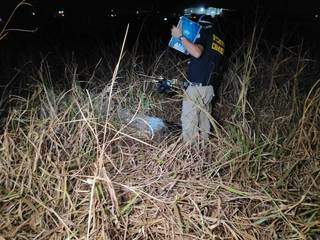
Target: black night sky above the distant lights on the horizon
96, 6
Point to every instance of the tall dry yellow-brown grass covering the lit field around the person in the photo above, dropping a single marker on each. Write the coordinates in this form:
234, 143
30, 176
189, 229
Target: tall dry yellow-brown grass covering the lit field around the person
70, 169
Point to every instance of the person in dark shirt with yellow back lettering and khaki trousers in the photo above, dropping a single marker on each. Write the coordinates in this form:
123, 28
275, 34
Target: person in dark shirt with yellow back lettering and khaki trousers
206, 52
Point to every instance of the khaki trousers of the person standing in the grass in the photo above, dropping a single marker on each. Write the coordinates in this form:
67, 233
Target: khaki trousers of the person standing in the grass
195, 113
